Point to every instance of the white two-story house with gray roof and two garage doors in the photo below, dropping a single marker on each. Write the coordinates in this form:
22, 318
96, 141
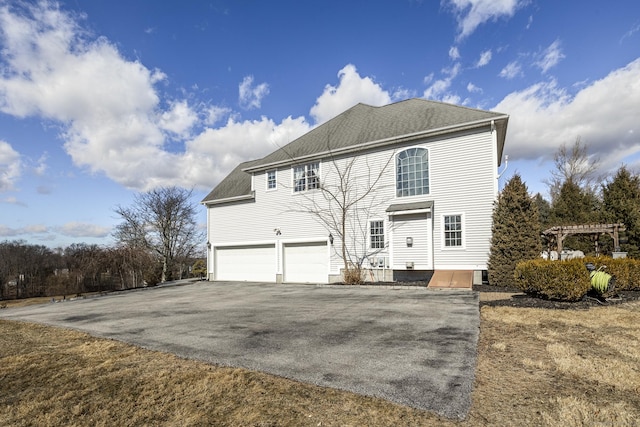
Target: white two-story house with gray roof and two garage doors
409, 186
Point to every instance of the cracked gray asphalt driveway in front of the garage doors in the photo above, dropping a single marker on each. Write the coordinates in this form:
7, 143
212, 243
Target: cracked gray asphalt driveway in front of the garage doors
416, 347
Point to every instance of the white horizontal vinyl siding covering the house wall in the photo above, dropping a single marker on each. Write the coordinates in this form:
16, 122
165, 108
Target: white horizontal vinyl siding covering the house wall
462, 172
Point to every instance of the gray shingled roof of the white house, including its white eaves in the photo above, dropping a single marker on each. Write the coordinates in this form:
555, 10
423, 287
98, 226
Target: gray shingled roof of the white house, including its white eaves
360, 125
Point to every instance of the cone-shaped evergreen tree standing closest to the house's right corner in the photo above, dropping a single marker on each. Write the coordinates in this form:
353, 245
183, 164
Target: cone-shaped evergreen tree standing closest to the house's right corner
515, 232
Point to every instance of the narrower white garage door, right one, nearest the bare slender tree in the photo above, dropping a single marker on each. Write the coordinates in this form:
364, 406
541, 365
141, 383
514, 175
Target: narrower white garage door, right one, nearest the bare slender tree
306, 263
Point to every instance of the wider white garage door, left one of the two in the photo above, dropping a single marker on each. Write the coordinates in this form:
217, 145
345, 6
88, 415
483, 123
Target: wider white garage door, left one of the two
246, 263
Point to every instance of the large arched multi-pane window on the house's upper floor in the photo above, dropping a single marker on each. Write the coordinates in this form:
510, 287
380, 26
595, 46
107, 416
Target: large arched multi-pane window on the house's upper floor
412, 172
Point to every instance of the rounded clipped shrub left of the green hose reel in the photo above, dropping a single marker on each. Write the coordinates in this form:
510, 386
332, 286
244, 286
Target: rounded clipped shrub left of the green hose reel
560, 280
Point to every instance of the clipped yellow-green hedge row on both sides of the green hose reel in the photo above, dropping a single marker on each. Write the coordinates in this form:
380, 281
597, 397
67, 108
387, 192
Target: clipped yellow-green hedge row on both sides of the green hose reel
569, 280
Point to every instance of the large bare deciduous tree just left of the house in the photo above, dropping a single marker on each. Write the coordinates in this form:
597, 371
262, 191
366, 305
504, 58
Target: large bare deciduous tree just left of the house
163, 221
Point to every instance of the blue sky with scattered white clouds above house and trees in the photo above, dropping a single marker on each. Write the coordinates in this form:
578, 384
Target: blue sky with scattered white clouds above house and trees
102, 99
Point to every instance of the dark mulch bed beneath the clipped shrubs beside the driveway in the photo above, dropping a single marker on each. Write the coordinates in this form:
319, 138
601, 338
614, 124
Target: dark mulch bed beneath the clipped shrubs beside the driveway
520, 299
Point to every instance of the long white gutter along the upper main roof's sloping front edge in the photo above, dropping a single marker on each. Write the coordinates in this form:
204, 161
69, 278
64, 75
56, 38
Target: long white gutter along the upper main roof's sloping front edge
378, 143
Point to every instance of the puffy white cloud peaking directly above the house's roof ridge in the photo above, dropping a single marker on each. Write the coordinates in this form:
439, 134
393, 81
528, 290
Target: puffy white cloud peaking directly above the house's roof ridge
351, 90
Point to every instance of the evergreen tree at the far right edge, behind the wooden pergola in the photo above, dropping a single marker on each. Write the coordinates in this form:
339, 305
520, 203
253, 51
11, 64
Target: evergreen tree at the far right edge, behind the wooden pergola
621, 203
